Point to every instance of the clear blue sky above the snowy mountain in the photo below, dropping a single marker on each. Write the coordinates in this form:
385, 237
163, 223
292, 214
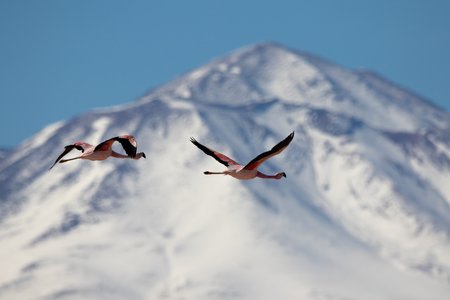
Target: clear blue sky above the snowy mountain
60, 58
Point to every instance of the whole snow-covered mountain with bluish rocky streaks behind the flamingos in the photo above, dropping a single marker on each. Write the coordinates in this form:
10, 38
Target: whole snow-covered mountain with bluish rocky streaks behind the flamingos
364, 212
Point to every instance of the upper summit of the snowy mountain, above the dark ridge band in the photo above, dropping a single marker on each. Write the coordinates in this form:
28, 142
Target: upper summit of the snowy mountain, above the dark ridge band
265, 72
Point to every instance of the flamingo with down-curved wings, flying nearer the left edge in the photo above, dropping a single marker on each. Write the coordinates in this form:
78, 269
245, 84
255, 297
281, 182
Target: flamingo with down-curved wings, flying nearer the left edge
103, 150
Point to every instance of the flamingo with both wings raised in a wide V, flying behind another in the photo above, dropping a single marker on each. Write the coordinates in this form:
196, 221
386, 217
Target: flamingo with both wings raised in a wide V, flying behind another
250, 170
